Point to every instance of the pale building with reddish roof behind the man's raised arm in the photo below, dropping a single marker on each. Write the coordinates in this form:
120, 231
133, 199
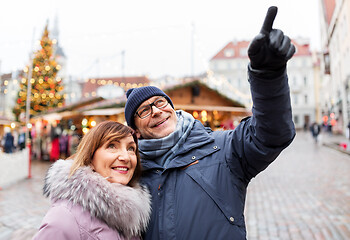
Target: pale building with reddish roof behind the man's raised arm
228, 74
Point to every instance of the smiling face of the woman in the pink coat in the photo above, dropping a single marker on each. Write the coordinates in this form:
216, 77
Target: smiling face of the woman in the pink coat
116, 160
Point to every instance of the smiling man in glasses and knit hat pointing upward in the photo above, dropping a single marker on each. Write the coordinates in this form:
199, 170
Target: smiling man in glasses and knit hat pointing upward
198, 178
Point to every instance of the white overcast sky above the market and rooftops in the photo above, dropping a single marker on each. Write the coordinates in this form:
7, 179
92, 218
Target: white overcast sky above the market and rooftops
159, 37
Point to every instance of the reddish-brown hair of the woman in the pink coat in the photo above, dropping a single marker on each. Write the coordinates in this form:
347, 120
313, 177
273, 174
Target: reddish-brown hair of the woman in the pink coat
104, 132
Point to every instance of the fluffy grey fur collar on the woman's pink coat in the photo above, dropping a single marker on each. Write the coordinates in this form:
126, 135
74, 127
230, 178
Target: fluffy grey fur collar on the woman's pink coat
123, 208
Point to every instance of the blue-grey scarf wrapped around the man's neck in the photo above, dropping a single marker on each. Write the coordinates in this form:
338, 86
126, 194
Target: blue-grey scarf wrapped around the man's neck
163, 150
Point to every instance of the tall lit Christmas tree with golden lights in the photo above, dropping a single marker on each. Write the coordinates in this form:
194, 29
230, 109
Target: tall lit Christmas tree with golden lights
46, 89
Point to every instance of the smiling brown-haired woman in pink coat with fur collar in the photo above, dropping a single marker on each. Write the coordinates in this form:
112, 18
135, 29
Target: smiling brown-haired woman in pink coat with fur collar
95, 194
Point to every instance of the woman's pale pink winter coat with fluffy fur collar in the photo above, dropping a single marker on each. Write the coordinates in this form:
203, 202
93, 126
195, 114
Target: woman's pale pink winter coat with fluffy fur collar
86, 206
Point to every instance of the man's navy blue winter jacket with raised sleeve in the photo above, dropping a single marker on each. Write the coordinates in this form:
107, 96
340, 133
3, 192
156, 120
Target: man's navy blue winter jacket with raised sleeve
201, 194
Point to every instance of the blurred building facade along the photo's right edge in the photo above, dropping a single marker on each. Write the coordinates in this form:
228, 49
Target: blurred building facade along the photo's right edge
335, 61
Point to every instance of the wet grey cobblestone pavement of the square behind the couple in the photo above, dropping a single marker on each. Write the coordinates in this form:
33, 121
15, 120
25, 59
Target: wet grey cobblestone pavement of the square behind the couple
304, 194
